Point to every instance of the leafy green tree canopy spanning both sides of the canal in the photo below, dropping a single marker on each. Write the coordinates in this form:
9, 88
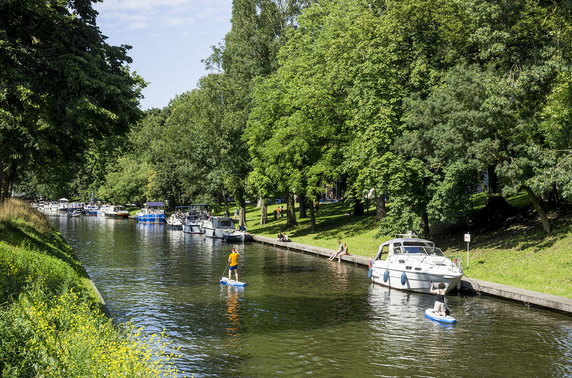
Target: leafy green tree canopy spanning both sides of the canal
416, 104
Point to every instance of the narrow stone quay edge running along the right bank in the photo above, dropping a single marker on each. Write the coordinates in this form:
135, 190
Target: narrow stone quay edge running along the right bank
528, 297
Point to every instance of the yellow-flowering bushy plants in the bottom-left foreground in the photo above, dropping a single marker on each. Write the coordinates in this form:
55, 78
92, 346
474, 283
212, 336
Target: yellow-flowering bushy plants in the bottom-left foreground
63, 336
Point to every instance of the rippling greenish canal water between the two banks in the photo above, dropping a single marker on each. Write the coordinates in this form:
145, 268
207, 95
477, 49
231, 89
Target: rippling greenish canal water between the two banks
301, 314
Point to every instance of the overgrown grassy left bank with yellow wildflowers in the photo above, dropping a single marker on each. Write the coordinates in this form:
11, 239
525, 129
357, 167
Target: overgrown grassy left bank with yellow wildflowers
51, 323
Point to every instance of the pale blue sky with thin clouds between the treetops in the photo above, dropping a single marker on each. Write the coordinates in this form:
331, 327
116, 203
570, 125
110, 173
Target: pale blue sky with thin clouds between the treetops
169, 40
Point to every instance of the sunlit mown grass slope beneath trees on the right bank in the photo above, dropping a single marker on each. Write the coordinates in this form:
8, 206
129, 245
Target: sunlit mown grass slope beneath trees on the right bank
517, 254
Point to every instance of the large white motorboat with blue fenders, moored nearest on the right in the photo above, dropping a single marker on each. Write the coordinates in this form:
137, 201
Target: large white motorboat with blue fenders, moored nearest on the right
411, 263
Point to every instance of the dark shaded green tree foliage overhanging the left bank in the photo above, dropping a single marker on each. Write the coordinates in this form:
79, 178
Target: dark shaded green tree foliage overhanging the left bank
61, 85
